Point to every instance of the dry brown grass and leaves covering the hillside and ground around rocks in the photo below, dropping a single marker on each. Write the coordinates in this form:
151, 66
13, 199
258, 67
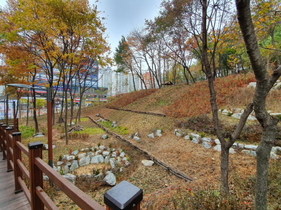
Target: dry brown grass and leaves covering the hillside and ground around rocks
179, 102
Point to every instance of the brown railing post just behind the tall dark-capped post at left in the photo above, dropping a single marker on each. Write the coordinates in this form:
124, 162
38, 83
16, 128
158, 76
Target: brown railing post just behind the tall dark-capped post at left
16, 157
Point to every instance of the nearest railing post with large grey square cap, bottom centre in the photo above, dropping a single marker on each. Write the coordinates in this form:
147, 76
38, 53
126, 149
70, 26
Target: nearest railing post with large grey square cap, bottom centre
123, 196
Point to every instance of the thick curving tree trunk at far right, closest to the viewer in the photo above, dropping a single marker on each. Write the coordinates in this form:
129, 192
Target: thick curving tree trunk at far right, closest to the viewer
264, 83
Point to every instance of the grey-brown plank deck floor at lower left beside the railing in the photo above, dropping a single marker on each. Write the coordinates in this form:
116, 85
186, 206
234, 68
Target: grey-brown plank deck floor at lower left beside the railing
8, 199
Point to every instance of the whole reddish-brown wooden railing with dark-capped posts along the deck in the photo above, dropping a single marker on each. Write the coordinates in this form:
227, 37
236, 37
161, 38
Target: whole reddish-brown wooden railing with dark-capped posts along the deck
12, 148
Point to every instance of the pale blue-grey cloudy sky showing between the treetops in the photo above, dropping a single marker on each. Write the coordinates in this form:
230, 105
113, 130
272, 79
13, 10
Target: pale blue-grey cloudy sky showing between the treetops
123, 16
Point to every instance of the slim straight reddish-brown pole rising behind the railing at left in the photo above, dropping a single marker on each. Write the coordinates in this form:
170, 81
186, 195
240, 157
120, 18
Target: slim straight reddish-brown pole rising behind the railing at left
49, 119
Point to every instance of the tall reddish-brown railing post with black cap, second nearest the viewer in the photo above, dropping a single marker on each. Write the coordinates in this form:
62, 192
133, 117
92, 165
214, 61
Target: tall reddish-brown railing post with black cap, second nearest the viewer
36, 175
